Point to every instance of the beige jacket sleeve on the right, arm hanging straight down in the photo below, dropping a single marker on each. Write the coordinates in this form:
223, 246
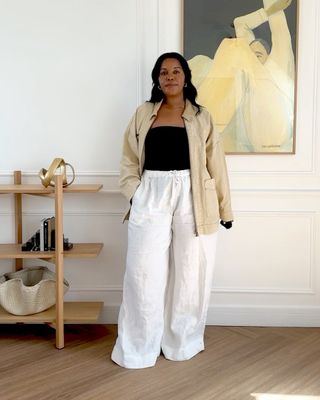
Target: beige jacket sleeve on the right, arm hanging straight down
216, 165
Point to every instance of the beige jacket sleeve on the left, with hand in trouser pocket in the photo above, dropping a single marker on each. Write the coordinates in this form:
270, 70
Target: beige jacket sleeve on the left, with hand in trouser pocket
129, 166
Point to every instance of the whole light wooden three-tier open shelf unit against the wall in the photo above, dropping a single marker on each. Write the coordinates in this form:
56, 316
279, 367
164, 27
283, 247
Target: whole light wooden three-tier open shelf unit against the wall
62, 312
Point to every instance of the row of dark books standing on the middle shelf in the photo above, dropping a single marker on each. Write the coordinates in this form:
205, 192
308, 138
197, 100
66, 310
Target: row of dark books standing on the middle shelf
44, 239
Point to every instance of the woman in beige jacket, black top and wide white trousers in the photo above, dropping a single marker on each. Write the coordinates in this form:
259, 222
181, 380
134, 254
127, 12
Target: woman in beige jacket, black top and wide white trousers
173, 172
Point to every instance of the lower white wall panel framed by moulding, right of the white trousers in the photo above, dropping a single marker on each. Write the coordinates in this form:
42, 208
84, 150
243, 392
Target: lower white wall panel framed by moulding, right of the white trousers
265, 247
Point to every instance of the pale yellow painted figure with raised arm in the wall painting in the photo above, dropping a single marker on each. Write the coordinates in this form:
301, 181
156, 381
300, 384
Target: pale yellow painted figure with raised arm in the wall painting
248, 86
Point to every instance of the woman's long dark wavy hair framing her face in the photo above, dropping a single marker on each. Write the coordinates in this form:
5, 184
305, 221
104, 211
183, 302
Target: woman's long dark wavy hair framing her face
189, 92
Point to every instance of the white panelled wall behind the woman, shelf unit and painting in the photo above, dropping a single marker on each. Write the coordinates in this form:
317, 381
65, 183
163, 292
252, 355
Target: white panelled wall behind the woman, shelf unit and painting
72, 73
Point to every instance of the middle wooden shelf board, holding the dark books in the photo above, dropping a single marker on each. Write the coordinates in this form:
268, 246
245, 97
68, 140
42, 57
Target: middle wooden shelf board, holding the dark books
79, 250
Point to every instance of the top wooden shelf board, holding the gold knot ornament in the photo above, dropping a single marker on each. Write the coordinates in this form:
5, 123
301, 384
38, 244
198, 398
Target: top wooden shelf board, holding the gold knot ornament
39, 189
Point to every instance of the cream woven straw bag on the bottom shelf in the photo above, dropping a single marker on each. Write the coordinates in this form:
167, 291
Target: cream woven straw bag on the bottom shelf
29, 291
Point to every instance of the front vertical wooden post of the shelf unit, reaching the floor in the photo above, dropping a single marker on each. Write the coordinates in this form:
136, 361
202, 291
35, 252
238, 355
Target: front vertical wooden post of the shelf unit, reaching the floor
59, 261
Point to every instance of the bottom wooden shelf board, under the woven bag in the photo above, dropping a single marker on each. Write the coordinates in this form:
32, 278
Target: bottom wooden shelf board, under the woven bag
74, 312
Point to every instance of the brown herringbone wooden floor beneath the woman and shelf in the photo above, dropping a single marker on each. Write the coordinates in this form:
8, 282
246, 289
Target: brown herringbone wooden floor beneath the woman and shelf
236, 363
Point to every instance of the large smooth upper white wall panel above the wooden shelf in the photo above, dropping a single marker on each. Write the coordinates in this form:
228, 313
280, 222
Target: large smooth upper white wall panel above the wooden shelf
68, 81
